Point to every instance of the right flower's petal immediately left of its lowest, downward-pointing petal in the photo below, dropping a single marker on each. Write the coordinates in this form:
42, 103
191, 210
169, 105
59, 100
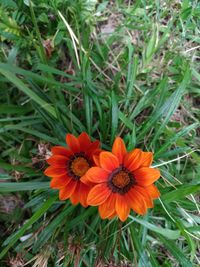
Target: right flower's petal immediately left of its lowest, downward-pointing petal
107, 209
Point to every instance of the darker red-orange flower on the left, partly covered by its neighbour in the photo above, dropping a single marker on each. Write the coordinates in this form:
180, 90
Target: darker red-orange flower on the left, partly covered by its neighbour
68, 166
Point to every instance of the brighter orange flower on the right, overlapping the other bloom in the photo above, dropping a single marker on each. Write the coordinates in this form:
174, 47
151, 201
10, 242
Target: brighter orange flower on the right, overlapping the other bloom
124, 181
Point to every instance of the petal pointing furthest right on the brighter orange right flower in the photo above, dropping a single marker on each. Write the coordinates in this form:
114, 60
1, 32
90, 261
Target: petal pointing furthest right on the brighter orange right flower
146, 176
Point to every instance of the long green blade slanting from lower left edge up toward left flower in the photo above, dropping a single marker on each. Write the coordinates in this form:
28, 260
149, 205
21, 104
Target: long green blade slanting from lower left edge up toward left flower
11, 240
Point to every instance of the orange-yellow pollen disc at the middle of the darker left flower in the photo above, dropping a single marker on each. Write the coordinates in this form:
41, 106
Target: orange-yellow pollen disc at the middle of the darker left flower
79, 166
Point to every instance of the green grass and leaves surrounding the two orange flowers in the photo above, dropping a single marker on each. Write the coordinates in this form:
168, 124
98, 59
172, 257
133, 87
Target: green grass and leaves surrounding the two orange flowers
140, 80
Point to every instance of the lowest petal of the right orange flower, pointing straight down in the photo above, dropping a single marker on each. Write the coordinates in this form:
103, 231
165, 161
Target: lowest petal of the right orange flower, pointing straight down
122, 208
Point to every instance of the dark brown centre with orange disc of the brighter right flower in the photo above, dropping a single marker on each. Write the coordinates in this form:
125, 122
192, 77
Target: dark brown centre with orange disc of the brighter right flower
121, 180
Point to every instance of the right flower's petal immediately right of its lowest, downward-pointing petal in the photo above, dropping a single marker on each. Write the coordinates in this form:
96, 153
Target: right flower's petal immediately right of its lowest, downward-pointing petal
136, 201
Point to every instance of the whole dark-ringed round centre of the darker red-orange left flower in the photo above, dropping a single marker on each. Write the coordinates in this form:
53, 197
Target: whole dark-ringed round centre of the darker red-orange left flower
78, 165
